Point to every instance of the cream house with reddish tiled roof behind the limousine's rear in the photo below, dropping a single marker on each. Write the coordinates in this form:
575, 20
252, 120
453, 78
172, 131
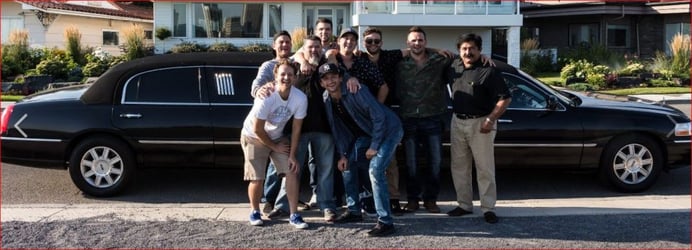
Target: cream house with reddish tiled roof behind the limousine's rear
99, 22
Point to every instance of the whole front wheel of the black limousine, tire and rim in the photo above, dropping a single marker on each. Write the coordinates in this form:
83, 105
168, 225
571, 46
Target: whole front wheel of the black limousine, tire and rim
631, 163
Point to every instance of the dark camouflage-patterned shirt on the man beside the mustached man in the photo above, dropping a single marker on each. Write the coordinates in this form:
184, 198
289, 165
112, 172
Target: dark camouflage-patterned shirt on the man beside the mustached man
422, 91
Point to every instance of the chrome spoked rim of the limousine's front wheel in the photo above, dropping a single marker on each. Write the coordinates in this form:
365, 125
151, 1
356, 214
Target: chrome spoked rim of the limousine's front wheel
633, 163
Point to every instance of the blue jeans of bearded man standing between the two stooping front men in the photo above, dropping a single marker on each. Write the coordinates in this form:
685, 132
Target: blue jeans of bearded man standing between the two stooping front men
320, 146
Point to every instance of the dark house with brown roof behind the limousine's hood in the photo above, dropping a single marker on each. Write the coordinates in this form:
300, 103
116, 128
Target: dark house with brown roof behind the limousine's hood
636, 27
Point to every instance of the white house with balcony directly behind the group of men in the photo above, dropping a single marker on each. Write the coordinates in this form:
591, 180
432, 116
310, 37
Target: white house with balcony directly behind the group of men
240, 23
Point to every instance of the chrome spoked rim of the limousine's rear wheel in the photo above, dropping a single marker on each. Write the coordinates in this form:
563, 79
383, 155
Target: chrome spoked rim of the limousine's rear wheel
101, 167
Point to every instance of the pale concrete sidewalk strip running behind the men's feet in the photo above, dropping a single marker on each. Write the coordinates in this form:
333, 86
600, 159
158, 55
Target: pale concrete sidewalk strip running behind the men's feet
239, 211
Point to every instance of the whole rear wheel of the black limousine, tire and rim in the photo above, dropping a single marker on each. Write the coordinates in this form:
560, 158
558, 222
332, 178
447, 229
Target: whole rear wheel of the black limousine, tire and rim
102, 166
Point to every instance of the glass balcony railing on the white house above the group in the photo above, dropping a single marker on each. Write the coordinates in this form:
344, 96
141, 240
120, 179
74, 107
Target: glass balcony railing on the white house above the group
435, 7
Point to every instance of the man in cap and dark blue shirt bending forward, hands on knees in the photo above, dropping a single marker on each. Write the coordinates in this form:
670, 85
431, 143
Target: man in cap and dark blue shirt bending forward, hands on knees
362, 128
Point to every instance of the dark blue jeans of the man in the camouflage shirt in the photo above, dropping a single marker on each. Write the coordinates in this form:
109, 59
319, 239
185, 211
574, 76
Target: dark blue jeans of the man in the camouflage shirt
426, 132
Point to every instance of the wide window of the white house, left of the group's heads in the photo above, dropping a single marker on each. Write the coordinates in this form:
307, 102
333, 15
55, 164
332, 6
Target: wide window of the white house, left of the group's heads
215, 20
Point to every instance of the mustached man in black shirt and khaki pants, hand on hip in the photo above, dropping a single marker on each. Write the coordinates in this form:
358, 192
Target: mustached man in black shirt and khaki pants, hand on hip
480, 96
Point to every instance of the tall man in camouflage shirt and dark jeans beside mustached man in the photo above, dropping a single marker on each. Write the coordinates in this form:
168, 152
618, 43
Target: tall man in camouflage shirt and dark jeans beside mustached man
421, 91
